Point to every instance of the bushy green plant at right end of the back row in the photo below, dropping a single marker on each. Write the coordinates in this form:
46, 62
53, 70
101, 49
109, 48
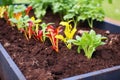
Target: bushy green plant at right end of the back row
94, 11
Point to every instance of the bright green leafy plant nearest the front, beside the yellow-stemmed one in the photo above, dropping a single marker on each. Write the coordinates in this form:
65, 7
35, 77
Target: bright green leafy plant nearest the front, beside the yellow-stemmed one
88, 42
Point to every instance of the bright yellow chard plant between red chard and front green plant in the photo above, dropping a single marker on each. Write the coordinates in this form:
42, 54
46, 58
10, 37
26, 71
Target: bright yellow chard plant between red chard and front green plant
68, 32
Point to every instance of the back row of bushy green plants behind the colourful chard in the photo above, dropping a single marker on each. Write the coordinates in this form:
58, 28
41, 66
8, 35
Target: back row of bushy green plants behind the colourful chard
77, 10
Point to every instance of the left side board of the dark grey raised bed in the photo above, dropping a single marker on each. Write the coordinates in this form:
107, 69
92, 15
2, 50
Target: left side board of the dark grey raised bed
8, 69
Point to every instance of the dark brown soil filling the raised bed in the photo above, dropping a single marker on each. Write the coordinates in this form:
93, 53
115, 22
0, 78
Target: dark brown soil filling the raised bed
38, 61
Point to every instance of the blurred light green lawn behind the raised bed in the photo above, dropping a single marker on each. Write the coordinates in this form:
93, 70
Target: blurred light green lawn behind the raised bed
112, 11
